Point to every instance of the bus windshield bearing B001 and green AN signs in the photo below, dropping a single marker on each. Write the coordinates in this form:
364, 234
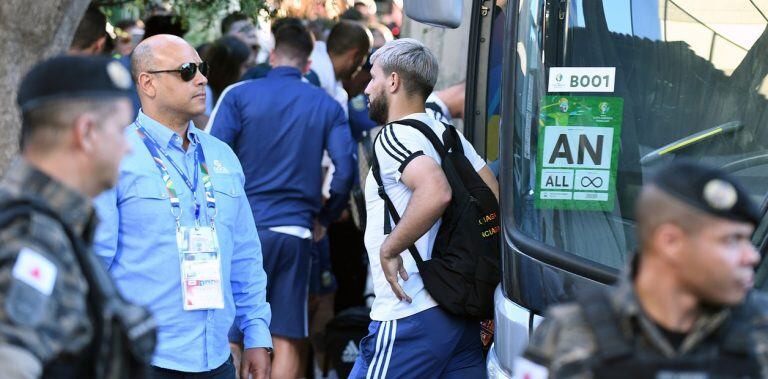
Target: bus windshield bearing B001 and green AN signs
606, 91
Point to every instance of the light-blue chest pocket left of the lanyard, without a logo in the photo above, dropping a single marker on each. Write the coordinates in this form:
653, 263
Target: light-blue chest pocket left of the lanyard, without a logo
147, 206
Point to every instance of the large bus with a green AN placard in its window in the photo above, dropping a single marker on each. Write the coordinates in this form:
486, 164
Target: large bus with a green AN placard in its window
576, 102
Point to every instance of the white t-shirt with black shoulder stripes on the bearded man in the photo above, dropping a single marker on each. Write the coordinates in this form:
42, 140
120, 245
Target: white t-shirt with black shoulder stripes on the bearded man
395, 147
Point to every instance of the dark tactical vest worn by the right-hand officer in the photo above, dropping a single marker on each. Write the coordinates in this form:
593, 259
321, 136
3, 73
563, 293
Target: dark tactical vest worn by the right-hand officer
727, 353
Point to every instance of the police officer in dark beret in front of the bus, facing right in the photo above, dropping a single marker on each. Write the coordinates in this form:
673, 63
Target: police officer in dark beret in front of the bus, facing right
684, 309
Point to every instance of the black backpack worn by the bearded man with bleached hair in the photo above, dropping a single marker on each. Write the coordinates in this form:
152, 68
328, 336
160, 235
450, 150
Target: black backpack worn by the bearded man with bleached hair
464, 269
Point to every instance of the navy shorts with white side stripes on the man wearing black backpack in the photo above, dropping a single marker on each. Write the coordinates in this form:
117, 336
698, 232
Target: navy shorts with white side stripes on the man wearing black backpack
429, 344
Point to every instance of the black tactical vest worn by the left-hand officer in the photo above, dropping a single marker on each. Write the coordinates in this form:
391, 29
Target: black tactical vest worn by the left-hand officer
125, 333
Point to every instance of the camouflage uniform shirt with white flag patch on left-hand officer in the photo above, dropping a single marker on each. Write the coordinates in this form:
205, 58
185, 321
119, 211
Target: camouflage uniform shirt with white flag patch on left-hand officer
42, 290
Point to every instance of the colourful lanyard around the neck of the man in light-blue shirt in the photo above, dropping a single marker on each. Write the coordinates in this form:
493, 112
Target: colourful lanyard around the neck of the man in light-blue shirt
155, 150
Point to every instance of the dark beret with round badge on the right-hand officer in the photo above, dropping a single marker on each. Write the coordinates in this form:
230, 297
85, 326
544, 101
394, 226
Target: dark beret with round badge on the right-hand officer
708, 189
